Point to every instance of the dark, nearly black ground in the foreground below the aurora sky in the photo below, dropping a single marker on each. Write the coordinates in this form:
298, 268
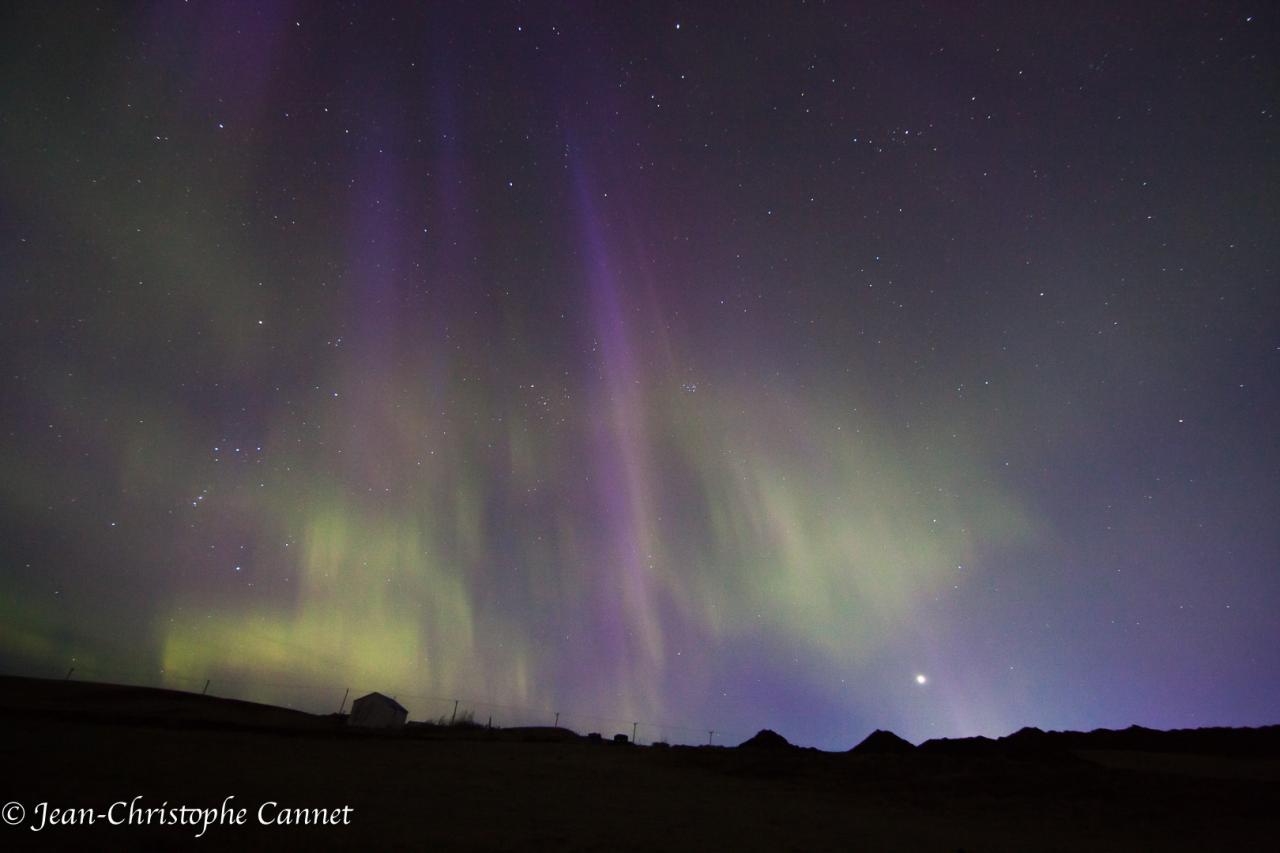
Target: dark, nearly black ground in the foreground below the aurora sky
86, 747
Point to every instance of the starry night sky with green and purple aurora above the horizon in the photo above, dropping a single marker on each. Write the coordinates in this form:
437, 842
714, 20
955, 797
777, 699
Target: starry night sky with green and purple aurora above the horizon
821, 367
